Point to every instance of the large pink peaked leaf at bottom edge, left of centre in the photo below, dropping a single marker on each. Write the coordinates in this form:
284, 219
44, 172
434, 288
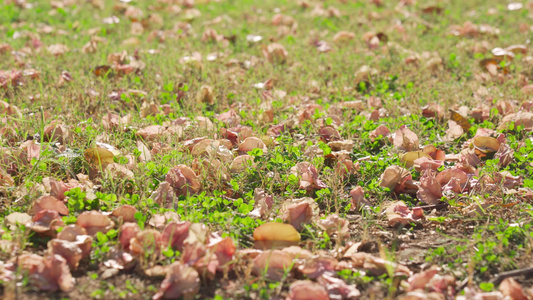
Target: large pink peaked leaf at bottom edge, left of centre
180, 281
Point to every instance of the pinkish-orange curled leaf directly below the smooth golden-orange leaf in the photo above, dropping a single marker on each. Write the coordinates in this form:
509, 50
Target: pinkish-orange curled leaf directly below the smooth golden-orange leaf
272, 264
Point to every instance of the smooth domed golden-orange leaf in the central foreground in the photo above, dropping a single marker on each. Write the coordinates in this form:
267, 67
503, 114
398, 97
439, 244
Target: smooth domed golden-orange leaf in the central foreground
275, 235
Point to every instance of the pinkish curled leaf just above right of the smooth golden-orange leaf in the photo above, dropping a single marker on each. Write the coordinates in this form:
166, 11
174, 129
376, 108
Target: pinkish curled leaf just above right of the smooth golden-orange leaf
299, 212
